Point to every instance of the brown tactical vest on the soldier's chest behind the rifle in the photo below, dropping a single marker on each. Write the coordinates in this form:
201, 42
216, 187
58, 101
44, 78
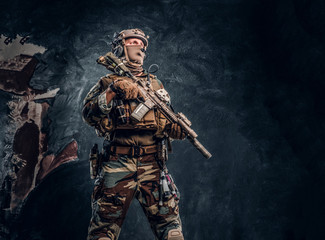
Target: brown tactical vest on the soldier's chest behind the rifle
153, 120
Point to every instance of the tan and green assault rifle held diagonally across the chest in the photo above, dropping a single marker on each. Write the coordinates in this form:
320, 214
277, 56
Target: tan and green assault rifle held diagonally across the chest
152, 99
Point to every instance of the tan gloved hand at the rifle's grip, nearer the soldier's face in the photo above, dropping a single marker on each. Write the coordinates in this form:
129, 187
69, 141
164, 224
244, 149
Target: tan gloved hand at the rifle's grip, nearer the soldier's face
125, 89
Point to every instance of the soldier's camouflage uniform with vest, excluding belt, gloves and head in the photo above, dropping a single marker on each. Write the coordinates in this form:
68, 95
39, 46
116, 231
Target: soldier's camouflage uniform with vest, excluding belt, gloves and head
125, 176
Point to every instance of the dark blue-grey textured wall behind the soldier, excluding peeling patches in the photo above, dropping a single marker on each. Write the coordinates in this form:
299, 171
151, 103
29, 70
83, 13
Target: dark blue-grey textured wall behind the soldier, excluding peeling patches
248, 74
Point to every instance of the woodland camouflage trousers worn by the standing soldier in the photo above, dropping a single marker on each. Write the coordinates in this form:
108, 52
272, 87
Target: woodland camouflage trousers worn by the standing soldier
123, 178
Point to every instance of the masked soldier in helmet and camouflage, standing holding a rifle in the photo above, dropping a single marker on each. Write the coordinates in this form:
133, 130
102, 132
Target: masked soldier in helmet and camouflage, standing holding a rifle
133, 164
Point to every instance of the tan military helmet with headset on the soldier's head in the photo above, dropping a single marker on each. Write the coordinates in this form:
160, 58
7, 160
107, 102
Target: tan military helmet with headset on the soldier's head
119, 39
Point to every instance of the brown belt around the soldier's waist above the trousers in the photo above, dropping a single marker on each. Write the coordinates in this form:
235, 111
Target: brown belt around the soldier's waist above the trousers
134, 151
